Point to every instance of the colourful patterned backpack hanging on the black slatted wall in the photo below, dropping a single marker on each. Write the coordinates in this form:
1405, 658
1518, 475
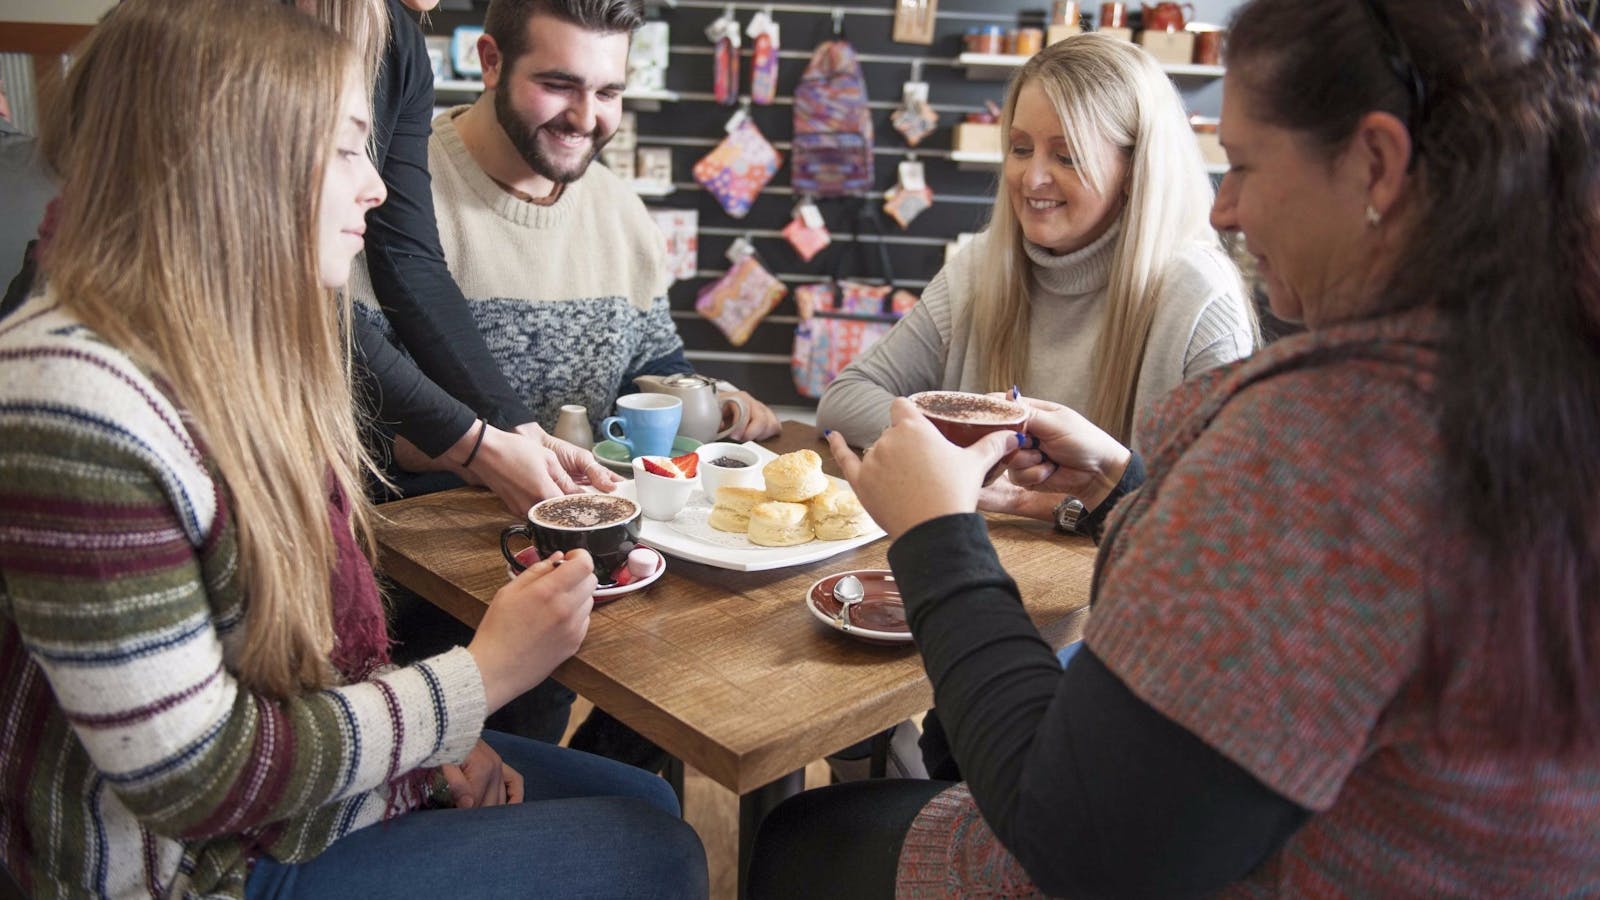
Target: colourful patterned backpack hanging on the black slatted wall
833, 145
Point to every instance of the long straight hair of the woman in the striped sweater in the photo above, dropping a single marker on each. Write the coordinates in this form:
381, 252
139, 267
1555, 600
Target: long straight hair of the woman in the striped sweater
191, 139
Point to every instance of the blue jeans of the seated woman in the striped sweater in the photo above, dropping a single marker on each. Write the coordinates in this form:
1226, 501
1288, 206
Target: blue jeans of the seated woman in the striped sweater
588, 827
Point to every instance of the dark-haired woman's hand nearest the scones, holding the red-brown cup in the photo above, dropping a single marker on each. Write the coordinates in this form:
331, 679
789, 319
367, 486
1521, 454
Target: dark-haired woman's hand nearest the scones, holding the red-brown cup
913, 475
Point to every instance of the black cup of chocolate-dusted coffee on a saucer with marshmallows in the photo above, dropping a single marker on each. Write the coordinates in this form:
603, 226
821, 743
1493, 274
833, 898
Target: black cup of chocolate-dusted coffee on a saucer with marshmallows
602, 524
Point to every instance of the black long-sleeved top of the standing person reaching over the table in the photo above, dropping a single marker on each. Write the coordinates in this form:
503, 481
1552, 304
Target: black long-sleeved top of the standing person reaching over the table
434, 396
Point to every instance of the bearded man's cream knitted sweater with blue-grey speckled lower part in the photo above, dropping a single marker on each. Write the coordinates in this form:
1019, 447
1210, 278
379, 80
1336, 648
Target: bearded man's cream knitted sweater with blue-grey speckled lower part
572, 299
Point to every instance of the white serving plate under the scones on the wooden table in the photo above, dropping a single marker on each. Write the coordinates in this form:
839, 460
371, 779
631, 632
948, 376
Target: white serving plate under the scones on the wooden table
689, 537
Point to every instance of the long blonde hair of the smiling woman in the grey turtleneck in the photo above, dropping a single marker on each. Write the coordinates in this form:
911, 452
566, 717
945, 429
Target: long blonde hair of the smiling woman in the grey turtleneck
1110, 89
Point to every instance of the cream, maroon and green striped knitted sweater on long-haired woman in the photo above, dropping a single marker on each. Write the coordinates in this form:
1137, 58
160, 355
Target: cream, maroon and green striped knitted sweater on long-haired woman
132, 761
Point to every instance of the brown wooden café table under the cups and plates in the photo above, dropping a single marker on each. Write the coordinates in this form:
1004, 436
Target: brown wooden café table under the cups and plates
729, 670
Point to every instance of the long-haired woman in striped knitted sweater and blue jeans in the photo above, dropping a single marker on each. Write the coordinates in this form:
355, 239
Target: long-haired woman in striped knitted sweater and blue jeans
193, 656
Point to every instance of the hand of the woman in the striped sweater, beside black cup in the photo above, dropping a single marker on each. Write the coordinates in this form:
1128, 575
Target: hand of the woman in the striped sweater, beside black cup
534, 625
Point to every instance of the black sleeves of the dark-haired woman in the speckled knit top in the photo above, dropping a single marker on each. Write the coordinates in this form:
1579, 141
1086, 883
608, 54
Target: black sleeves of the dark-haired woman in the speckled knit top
1089, 787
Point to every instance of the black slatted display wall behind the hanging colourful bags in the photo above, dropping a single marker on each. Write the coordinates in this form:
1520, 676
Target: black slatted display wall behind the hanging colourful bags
694, 124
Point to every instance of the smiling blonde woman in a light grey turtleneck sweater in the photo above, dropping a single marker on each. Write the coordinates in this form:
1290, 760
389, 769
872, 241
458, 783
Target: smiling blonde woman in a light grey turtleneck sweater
1098, 284
